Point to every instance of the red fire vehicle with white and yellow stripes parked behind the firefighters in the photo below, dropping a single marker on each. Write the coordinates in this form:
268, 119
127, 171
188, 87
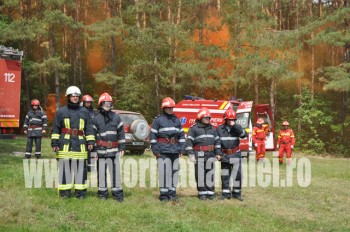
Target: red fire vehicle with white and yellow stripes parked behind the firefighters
186, 111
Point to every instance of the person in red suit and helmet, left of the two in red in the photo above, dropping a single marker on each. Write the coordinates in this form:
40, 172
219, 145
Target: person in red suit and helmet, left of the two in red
259, 138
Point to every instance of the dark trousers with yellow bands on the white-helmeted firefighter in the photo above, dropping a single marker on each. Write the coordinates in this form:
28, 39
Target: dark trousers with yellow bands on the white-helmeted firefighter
72, 172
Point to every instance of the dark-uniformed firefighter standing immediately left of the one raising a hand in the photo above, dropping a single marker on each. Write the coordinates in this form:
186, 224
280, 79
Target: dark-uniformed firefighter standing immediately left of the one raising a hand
203, 147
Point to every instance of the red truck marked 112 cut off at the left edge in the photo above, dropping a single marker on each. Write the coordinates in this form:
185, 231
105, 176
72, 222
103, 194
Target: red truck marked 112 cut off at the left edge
10, 88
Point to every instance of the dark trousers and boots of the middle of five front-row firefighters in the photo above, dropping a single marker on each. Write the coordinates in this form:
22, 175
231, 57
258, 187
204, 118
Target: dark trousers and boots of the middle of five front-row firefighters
168, 175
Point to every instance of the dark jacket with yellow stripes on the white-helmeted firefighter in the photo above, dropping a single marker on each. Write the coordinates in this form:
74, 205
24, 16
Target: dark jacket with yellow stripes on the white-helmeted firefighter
77, 120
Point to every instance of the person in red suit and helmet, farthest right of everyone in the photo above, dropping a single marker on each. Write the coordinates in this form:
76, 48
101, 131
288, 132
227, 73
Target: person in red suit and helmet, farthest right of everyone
285, 143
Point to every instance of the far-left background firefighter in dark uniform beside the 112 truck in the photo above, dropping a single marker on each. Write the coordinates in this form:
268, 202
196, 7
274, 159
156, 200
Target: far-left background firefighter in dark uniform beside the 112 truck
35, 125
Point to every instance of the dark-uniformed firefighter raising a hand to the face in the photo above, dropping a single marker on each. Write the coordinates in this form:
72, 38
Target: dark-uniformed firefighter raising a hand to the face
231, 164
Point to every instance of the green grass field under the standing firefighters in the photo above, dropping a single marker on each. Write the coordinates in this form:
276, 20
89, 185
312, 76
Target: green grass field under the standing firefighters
322, 206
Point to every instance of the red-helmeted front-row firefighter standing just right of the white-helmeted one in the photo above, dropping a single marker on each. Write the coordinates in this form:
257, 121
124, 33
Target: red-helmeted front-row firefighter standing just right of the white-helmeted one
110, 145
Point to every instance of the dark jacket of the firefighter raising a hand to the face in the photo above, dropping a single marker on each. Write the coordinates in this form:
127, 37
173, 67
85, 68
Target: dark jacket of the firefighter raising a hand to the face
229, 138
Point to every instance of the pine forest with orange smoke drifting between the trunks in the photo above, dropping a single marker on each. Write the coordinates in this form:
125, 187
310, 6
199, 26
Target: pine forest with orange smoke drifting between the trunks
291, 54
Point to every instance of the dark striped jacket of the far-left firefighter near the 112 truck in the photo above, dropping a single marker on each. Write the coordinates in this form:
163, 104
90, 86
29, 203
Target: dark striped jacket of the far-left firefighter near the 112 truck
35, 122
